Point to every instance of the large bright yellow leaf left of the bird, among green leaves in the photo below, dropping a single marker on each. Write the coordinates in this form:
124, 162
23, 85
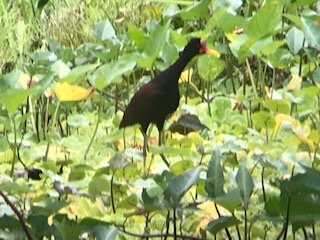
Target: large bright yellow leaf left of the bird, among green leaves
67, 92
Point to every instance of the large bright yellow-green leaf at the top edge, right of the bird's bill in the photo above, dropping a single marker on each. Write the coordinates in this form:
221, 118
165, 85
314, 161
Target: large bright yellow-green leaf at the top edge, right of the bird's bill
262, 24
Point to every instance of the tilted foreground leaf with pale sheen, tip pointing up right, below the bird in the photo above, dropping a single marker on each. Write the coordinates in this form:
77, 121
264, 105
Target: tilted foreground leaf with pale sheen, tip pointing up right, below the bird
179, 185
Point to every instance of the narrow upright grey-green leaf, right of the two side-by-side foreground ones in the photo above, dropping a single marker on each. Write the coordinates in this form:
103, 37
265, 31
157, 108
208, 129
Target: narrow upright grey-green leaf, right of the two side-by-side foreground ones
245, 184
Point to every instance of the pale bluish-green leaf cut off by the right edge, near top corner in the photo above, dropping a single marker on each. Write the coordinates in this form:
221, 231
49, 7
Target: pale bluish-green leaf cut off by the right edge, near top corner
312, 32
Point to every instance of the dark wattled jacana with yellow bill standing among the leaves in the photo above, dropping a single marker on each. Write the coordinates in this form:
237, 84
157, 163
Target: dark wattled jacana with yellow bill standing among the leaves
155, 100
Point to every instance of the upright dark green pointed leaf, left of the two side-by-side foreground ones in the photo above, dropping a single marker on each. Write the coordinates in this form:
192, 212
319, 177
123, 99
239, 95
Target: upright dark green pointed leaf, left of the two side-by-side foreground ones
215, 180
